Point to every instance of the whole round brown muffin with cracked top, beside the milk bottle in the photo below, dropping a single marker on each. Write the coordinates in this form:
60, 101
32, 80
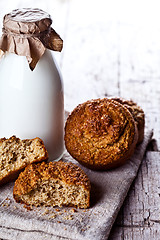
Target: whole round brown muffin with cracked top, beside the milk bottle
101, 134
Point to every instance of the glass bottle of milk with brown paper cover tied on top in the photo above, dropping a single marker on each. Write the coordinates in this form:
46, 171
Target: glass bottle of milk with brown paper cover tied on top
31, 89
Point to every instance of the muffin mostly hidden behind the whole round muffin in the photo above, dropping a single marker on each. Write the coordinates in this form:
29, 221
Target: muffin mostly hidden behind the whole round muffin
138, 115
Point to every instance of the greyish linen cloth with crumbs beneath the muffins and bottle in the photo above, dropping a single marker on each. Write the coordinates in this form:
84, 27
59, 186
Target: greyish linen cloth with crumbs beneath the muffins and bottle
109, 190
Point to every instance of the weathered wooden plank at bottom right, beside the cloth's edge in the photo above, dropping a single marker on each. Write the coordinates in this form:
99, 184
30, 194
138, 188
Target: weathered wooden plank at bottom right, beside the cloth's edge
139, 217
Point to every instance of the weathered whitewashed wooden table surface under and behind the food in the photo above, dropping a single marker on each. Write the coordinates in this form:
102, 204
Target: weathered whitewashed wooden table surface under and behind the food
112, 48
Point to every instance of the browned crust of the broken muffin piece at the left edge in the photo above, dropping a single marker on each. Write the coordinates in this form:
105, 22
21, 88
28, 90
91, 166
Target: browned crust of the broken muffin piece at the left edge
13, 174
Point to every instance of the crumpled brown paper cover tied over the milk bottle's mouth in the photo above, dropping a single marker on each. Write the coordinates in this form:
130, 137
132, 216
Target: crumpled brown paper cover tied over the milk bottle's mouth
27, 32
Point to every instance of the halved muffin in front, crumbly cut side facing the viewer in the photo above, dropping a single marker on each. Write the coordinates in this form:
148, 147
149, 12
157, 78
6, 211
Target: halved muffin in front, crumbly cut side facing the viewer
53, 184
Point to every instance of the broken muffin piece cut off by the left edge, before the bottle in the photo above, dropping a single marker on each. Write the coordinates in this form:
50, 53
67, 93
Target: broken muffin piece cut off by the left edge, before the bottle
16, 154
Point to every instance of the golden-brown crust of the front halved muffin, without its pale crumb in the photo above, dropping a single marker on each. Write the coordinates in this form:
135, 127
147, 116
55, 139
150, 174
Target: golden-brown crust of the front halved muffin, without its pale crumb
35, 174
